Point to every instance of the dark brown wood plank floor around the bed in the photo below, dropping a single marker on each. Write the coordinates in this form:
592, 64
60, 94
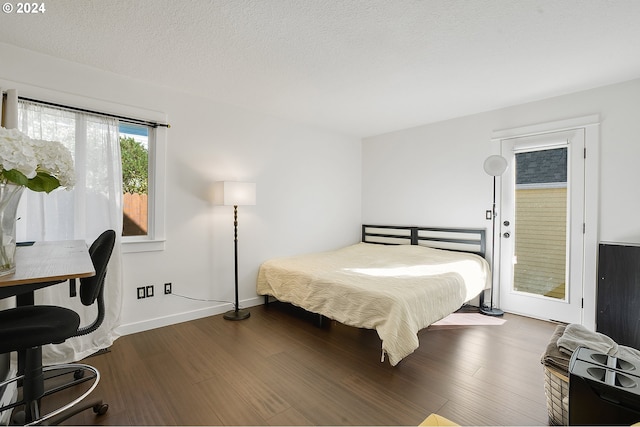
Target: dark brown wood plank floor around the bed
278, 368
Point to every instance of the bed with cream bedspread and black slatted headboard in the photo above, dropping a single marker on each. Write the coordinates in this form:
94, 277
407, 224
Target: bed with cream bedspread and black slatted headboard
397, 280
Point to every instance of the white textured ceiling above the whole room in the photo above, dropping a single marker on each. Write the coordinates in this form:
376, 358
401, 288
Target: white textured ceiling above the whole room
361, 67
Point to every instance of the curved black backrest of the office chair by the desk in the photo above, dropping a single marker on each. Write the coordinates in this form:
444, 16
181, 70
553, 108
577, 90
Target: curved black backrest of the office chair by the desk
92, 288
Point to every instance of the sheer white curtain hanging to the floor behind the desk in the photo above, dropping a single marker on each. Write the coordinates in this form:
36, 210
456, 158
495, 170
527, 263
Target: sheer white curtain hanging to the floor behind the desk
82, 213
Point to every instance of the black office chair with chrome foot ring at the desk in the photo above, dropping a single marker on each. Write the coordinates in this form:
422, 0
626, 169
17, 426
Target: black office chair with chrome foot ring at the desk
26, 329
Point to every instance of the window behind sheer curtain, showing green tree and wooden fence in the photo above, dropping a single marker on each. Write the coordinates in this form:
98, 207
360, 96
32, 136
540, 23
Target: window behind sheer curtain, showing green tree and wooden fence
141, 153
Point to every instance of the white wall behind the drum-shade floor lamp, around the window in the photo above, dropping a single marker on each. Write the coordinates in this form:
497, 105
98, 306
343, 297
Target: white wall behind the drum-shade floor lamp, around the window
308, 187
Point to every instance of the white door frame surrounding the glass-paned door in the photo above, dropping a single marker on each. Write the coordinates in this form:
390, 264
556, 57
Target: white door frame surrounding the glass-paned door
591, 126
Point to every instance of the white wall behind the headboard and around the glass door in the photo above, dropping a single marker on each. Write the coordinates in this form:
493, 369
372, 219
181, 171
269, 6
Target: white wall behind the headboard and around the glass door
433, 175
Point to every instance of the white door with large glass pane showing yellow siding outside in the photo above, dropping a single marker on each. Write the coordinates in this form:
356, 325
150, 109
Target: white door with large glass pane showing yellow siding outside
541, 235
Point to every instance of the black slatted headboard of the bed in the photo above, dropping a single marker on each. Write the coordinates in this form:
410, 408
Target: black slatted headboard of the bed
471, 240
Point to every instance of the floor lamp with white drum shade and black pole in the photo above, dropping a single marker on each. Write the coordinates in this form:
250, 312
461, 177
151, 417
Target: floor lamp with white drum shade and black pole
232, 193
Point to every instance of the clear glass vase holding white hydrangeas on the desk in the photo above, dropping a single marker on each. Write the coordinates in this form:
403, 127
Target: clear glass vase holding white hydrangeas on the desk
9, 198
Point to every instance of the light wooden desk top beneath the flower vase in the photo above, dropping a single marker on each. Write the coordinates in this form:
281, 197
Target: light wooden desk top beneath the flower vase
47, 263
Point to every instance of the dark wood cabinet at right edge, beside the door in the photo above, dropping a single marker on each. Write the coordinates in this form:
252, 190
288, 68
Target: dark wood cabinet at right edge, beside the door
618, 302
